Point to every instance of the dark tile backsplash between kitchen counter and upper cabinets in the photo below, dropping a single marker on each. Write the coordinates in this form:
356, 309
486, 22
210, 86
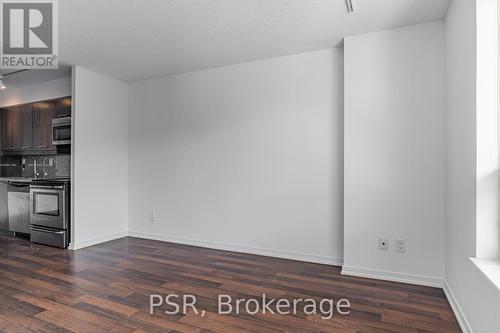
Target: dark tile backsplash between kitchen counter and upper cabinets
47, 166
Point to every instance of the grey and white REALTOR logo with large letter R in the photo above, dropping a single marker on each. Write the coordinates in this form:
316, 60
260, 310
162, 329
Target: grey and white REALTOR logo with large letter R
28, 34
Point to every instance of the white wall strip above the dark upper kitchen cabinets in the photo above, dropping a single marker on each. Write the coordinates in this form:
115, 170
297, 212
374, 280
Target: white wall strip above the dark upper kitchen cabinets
36, 92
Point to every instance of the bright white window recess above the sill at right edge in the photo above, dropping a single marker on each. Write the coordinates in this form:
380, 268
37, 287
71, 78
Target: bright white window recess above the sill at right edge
487, 230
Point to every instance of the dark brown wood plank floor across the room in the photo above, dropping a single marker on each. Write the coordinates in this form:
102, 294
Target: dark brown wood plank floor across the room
106, 288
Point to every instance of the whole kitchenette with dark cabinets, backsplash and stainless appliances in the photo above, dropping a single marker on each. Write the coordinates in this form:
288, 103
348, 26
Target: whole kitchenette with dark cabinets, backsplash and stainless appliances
35, 171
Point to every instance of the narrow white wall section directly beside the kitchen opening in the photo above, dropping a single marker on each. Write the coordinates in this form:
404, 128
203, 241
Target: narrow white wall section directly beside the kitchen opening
100, 131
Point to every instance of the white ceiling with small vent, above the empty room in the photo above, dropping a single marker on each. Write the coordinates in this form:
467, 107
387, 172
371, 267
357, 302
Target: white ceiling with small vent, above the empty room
137, 39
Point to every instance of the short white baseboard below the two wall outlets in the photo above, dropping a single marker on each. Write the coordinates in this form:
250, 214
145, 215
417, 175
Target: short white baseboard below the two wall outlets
429, 281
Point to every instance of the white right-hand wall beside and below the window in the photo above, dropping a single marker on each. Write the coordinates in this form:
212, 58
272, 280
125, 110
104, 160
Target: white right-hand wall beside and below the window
469, 291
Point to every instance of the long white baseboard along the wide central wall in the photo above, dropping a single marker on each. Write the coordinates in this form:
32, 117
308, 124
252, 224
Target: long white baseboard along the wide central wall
314, 258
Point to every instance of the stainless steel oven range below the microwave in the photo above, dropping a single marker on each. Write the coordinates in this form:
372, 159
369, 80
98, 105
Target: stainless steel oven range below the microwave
49, 213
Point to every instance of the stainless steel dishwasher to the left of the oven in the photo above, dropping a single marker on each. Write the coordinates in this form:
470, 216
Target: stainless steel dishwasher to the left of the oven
18, 198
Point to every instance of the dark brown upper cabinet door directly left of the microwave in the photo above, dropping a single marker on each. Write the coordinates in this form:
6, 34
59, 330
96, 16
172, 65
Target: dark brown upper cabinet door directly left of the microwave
43, 113
